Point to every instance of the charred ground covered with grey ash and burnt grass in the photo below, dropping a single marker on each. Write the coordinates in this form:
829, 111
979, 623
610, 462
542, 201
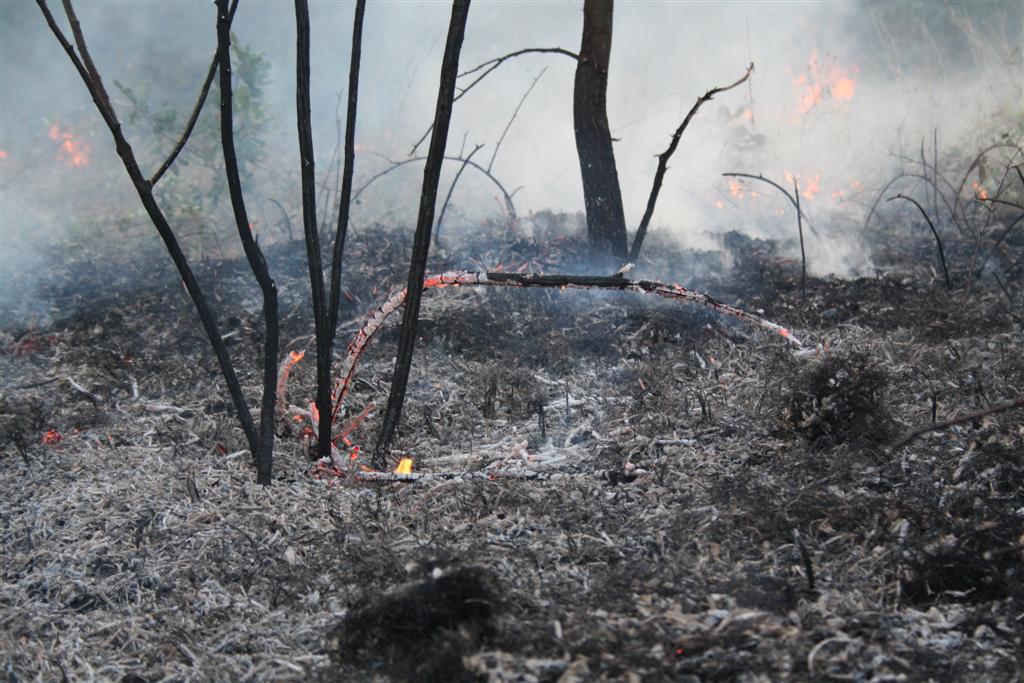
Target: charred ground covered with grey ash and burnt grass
709, 505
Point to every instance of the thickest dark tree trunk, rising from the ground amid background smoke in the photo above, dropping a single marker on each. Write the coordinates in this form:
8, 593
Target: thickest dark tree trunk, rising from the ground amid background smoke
604, 199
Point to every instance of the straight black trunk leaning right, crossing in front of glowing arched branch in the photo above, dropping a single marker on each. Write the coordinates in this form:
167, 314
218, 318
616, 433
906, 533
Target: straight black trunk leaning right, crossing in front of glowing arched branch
424, 224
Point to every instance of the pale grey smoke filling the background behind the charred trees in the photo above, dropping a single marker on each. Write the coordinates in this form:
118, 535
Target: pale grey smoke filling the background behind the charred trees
840, 91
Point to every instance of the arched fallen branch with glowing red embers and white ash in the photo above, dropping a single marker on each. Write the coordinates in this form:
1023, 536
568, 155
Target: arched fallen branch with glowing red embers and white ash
457, 279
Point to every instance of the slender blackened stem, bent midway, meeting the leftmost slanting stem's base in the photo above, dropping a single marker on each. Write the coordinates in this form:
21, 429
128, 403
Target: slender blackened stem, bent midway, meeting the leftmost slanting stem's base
265, 453
